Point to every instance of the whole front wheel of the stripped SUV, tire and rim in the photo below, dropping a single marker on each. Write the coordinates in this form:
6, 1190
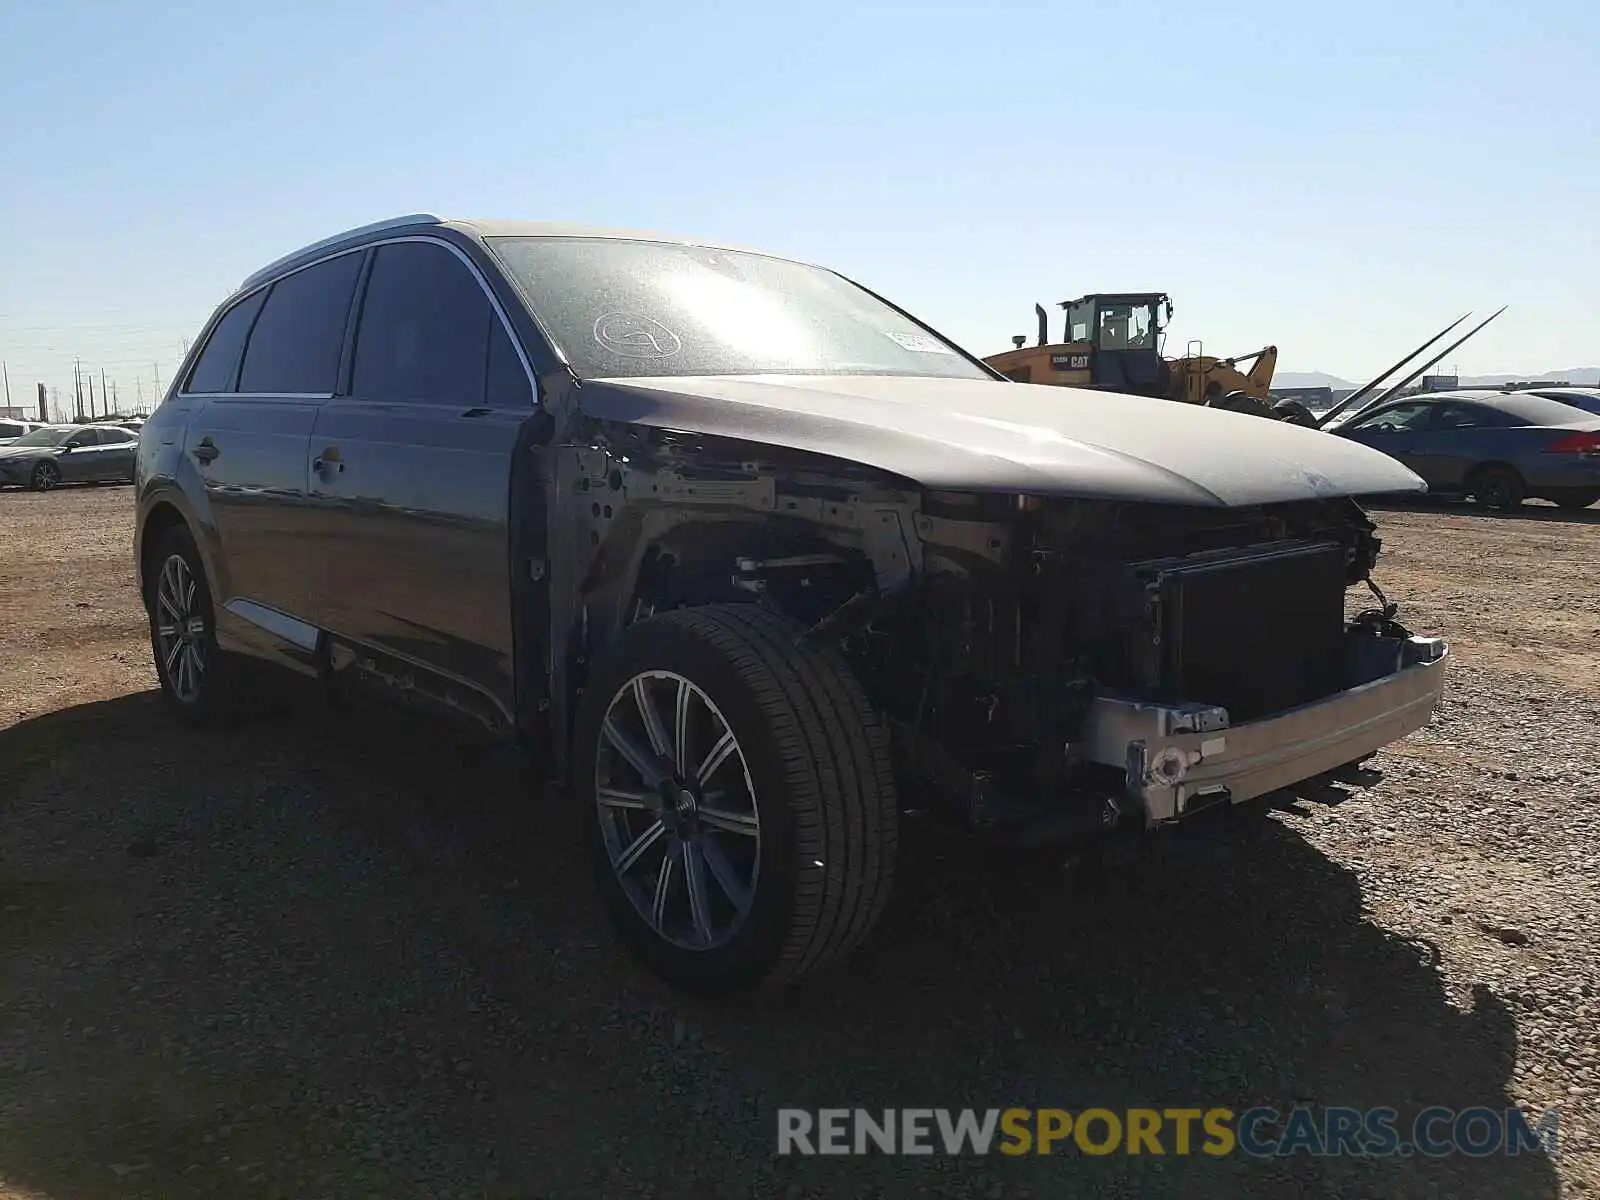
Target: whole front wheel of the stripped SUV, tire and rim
817, 780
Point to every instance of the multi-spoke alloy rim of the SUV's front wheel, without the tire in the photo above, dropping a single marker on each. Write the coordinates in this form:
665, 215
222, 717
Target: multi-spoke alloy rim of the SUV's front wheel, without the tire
678, 810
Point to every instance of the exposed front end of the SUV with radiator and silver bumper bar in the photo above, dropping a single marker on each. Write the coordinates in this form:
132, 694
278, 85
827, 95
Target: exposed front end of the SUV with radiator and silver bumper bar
1063, 668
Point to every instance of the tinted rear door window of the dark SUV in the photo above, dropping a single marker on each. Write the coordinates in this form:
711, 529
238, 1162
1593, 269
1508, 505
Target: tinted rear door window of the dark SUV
298, 337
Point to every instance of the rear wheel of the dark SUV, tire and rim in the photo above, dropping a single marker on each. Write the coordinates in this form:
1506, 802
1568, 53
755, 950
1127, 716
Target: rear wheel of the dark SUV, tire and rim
196, 678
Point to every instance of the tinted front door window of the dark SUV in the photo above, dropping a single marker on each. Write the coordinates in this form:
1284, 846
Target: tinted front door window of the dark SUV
425, 330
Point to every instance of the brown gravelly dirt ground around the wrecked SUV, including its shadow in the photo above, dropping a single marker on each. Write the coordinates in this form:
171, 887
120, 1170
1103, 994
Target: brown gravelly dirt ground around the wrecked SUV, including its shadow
322, 958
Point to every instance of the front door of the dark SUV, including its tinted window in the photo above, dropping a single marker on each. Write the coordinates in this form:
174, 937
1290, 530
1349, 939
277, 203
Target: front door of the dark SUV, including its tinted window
412, 471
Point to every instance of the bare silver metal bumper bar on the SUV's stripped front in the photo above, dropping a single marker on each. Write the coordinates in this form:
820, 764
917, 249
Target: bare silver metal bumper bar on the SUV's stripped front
1183, 758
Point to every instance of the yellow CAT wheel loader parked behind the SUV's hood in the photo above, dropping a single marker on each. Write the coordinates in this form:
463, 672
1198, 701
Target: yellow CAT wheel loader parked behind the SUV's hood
1113, 342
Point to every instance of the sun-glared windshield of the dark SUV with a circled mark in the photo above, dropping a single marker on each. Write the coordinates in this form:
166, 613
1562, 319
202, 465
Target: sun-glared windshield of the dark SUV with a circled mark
626, 310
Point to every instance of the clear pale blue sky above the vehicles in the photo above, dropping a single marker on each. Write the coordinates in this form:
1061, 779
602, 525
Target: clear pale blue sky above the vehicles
1340, 180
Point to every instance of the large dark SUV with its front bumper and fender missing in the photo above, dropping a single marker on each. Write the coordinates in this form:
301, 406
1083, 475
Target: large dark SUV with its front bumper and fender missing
750, 559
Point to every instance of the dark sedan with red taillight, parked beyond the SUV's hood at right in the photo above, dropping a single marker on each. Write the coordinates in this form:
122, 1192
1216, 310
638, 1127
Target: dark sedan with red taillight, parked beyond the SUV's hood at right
1497, 447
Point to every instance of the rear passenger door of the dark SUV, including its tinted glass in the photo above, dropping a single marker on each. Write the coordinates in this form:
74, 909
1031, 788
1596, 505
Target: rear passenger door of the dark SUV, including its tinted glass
268, 367
